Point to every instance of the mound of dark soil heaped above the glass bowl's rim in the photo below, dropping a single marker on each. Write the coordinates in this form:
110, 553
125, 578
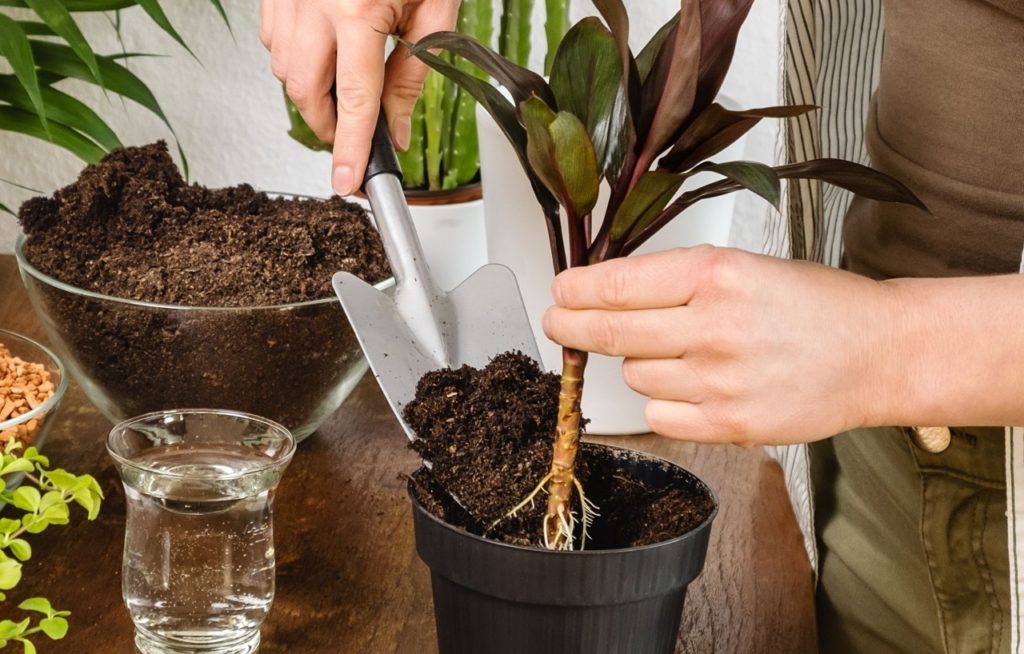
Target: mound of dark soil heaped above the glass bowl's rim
132, 228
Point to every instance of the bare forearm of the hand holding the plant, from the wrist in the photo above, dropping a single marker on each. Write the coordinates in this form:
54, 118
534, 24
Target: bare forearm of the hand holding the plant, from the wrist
956, 354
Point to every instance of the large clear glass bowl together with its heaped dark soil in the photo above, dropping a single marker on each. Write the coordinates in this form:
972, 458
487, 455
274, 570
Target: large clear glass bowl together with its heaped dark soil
159, 294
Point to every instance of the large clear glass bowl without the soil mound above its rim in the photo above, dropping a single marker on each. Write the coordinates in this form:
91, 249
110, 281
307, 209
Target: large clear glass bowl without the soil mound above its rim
293, 364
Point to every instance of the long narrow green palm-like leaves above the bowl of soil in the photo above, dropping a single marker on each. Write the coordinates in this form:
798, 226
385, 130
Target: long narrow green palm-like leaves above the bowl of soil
44, 46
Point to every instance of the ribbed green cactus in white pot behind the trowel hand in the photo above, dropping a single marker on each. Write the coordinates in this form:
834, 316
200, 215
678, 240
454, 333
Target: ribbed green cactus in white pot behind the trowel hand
444, 151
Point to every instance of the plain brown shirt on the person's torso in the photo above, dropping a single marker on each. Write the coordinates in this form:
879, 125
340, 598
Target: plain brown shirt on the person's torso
948, 120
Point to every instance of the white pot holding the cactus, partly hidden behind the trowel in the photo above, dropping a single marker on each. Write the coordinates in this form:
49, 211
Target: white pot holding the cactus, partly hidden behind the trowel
452, 233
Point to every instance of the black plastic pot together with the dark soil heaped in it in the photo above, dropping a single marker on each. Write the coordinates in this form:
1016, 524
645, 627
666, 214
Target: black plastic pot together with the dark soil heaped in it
487, 434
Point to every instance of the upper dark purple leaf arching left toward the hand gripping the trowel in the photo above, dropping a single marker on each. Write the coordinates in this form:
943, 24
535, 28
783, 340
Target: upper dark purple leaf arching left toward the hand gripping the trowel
523, 83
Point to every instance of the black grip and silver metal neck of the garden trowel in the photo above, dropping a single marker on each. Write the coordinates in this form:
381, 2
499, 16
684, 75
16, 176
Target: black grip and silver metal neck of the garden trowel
382, 185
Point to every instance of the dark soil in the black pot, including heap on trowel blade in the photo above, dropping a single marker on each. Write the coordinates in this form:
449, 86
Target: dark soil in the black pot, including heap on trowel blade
488, 434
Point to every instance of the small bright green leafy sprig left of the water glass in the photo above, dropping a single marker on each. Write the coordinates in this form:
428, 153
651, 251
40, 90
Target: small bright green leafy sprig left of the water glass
45, 501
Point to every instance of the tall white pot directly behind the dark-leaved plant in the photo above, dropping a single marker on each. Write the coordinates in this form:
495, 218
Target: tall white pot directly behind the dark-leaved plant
517, 237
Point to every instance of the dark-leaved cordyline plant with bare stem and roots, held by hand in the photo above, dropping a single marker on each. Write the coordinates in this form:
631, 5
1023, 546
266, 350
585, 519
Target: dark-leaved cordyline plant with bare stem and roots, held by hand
644, 124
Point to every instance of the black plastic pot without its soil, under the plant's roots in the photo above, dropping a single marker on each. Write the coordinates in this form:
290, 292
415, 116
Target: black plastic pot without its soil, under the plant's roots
499, 599
